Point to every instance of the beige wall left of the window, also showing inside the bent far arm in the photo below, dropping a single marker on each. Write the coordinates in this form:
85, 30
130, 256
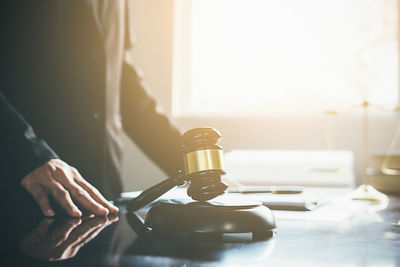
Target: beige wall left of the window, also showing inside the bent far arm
152, 21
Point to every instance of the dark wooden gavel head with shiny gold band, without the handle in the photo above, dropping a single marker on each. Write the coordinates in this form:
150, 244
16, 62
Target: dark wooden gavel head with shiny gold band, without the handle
203, 163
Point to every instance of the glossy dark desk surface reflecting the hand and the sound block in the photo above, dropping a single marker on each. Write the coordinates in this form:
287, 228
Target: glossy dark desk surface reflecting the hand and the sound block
368, 237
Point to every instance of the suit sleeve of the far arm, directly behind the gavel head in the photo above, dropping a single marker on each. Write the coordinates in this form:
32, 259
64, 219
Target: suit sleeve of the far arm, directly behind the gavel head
146, 125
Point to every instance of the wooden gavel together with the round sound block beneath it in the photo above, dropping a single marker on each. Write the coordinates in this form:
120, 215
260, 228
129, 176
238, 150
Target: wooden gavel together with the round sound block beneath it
203, 158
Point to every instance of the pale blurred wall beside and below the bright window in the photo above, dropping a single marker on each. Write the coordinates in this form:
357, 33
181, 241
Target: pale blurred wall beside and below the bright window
152, 22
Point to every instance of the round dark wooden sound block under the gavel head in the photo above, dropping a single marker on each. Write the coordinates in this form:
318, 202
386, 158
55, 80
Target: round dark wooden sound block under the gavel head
172, 216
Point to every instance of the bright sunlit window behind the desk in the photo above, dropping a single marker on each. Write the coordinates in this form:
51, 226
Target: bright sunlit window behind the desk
247, 57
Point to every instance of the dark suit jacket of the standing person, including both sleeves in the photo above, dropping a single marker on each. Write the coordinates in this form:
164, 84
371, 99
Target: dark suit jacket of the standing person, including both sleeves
53, 101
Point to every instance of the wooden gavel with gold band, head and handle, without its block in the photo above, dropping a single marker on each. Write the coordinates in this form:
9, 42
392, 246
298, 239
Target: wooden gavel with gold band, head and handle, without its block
203, 161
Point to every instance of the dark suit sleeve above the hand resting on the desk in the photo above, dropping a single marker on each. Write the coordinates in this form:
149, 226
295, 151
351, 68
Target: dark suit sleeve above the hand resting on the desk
21, 151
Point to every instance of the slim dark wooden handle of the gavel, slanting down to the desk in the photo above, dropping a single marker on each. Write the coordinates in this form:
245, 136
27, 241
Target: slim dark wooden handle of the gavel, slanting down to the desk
151, 194
